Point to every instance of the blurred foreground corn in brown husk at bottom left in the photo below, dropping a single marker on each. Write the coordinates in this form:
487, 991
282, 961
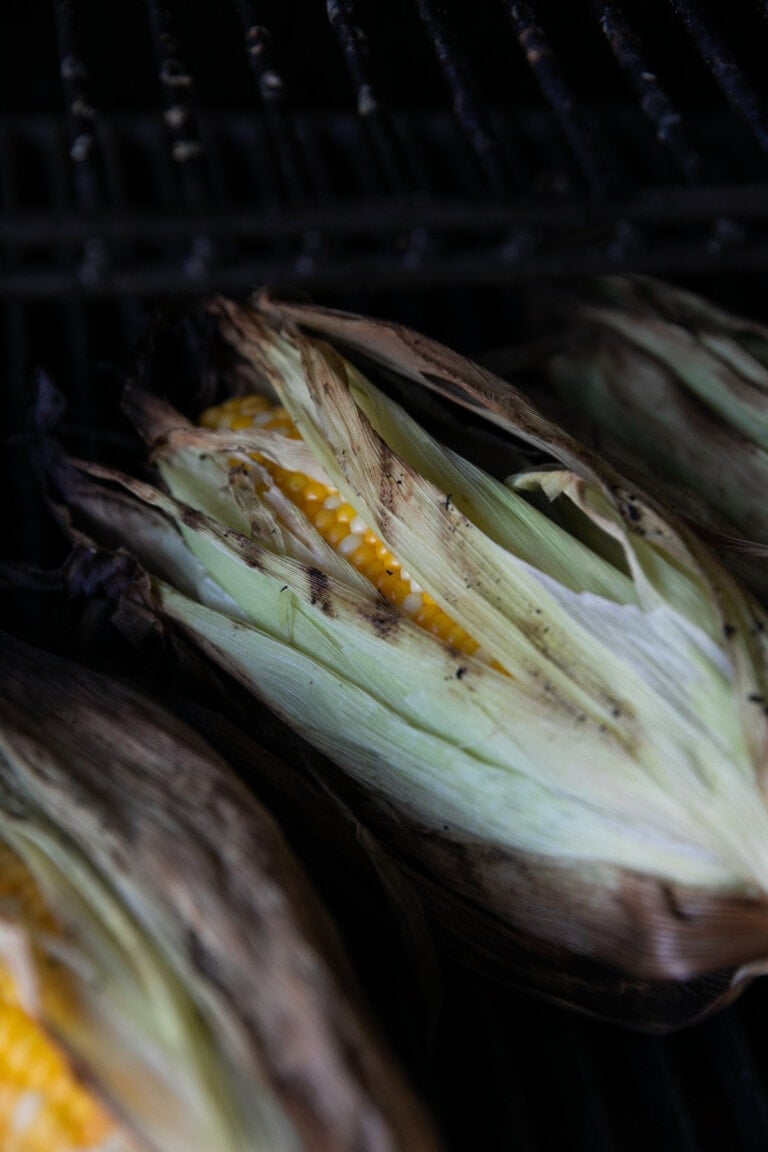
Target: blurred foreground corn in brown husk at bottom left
168, 979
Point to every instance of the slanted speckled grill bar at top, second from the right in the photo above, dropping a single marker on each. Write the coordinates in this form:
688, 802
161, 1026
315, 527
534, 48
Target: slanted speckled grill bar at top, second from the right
666, 119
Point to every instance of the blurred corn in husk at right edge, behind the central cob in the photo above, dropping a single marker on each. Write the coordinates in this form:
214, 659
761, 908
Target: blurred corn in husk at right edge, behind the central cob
675, 391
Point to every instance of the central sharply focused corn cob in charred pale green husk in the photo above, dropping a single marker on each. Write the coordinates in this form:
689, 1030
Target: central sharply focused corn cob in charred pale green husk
579, 748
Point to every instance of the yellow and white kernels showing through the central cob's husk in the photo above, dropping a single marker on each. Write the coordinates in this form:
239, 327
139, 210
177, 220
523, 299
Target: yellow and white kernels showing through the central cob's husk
338, 522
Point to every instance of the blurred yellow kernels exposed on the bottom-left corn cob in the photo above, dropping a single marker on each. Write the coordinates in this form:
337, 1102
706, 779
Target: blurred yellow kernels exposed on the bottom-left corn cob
43, 1108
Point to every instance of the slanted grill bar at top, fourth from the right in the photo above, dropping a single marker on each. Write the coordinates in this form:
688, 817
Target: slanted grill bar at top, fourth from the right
469, 107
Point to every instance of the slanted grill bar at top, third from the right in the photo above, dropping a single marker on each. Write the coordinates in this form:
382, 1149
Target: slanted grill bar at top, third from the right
544, 64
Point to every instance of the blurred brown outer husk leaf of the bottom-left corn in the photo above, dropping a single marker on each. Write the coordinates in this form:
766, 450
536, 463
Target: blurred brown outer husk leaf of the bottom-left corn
156, 812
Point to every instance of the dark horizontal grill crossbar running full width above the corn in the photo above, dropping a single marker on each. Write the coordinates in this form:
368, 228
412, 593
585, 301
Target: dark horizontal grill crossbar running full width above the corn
470, 245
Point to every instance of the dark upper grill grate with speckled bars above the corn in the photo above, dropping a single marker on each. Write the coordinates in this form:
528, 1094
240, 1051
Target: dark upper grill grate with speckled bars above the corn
529, 154
